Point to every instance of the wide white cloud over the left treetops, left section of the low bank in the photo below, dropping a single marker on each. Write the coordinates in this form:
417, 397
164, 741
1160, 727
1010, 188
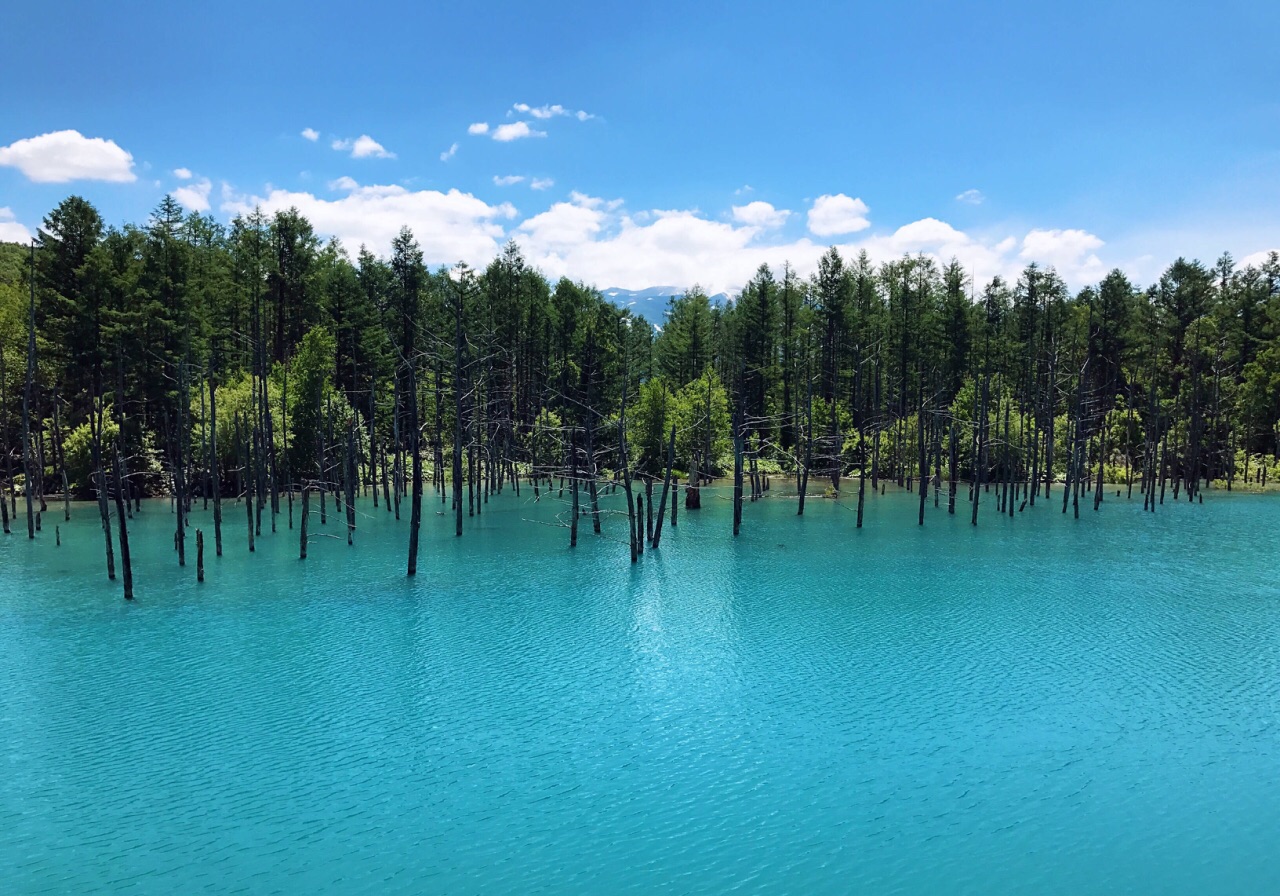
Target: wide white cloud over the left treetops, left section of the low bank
450, 227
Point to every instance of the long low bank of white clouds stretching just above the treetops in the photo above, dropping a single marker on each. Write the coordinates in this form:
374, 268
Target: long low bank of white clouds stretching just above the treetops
604, 243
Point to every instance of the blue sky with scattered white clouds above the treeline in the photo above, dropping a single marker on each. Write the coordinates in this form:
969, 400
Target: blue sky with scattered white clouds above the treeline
711, 139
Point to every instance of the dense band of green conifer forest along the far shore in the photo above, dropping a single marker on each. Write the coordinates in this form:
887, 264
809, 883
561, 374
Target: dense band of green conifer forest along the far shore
258, 356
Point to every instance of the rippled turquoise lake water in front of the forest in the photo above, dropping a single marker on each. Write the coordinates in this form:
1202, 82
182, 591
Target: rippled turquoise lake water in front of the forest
1036, 706
